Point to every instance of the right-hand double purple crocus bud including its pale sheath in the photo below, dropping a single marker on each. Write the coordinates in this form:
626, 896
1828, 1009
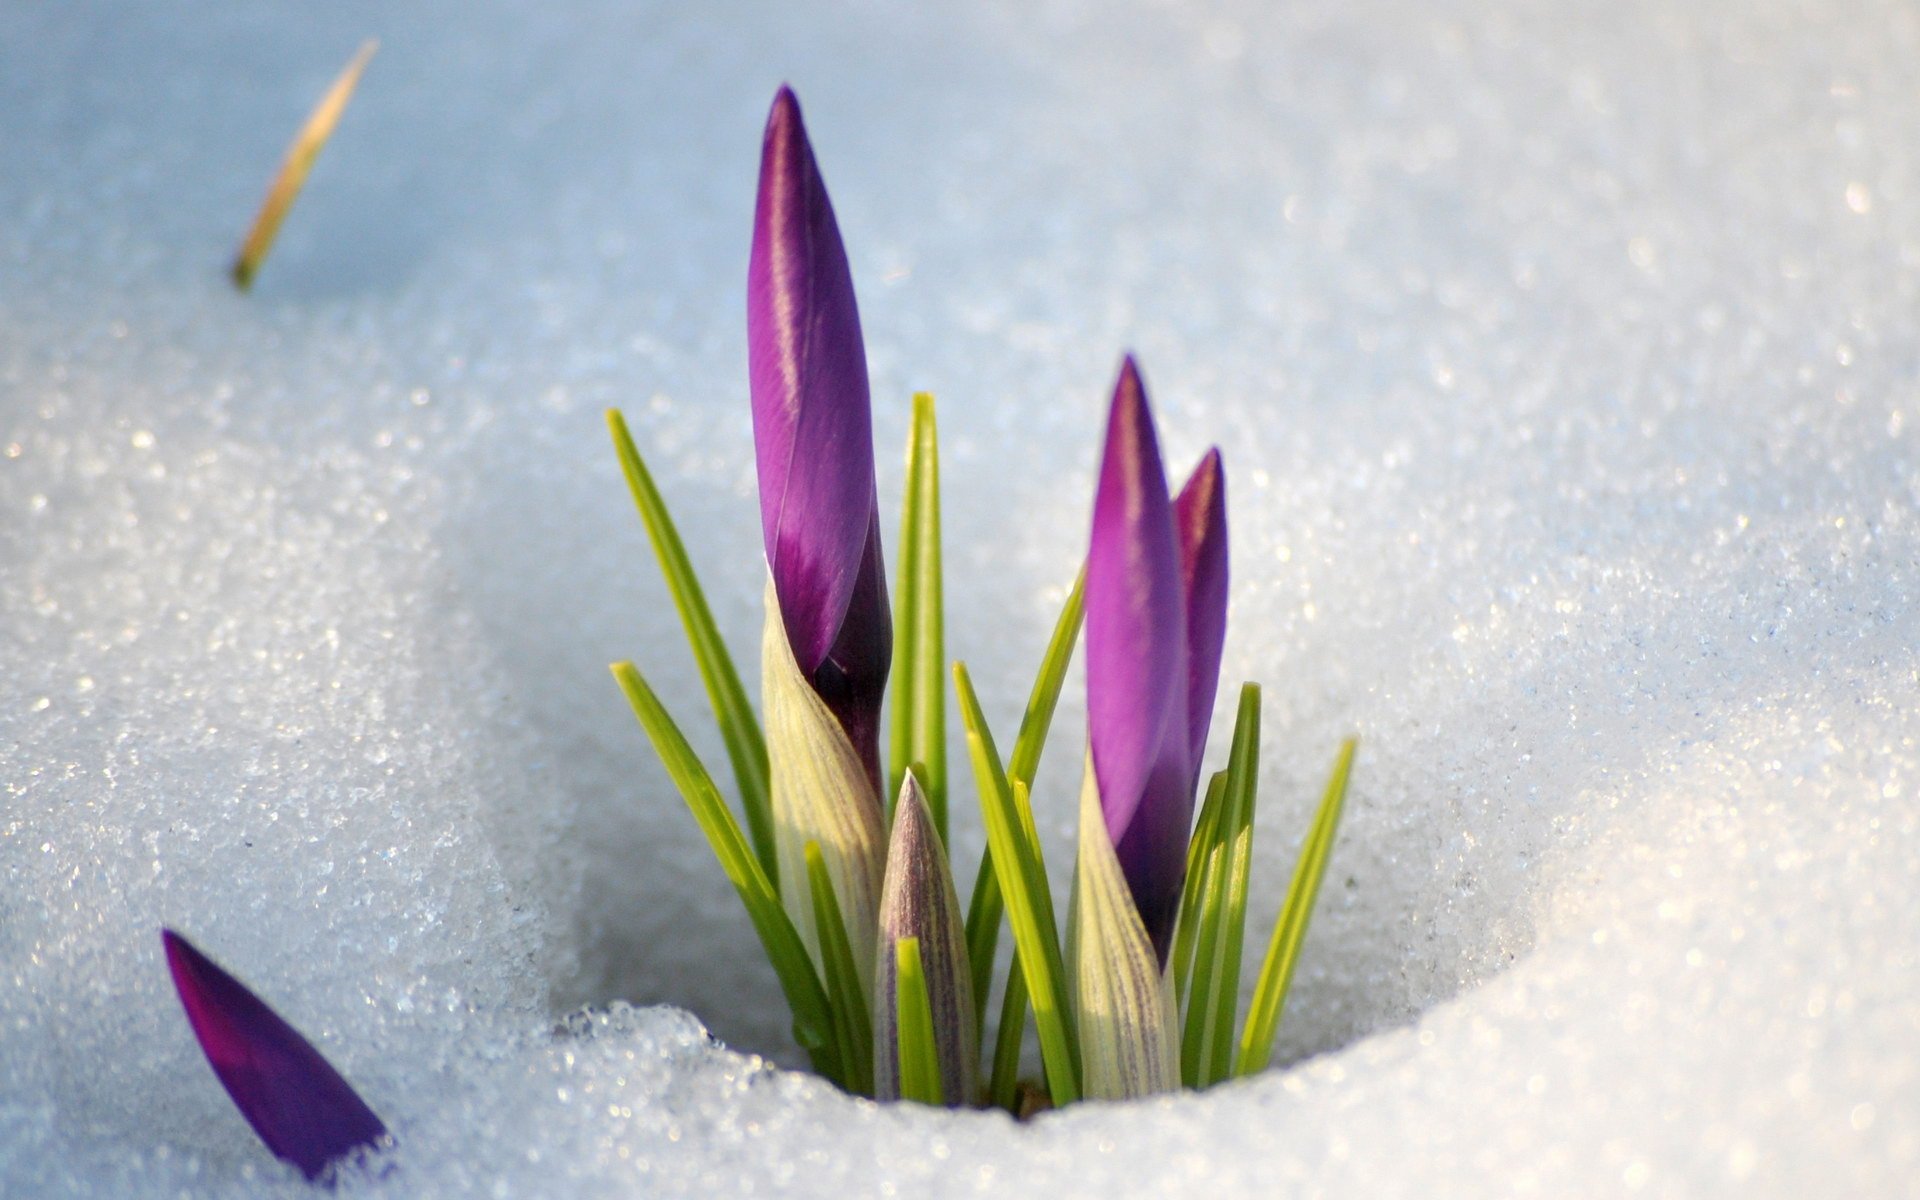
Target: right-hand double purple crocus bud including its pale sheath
1157, 613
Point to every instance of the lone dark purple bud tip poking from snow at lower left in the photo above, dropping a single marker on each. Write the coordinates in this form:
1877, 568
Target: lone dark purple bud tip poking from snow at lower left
295, 1101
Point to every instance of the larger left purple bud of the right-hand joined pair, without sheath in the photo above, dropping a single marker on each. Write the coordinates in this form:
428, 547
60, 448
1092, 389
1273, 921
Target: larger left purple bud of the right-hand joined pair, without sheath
1138, 669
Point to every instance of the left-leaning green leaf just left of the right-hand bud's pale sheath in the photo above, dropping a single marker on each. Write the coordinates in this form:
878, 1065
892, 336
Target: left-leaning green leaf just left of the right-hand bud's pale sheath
1030, 905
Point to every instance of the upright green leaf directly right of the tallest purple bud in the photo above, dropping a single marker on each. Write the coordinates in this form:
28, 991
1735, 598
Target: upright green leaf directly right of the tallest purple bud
919, 731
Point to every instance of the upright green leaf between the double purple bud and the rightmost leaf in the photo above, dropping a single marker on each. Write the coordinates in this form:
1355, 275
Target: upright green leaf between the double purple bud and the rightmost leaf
1216, 986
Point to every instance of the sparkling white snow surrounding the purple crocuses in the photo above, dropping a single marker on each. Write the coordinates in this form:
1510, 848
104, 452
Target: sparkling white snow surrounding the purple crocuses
1566, 366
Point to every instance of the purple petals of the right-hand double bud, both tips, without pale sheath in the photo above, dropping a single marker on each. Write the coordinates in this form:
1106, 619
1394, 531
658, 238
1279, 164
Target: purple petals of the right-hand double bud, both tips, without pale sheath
1157, 615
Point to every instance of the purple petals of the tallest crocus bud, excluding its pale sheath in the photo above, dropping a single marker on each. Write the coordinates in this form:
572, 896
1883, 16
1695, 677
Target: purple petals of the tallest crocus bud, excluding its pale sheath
813, 437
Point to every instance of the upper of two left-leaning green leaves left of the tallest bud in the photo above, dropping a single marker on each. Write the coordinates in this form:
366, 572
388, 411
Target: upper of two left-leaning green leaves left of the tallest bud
740, 729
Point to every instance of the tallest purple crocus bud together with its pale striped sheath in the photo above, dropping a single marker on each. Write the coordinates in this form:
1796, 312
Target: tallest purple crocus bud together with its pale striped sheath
828, 629
